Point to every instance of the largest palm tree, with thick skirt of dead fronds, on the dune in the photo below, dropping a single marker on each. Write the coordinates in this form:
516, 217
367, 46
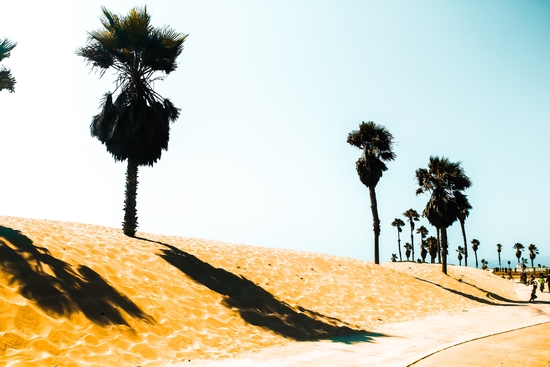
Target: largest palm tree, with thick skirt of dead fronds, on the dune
134, 126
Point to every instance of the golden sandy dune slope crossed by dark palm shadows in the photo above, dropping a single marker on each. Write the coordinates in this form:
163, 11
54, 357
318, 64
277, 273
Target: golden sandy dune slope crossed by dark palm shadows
74, 294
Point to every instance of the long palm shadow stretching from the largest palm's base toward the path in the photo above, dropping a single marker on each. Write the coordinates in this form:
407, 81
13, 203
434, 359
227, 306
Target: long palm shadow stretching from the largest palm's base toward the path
259, 307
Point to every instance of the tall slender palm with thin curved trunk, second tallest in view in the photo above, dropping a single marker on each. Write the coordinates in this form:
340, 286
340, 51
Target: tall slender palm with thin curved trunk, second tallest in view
376, 142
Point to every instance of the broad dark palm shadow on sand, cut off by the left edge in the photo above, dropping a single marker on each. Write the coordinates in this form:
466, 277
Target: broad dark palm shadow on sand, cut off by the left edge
69, 290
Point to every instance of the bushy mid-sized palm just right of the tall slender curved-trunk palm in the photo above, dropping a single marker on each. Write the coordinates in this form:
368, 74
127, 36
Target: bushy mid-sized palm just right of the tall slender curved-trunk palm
443, 180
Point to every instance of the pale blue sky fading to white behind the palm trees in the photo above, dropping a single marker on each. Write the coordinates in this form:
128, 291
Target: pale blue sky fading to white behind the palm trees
269, 91
